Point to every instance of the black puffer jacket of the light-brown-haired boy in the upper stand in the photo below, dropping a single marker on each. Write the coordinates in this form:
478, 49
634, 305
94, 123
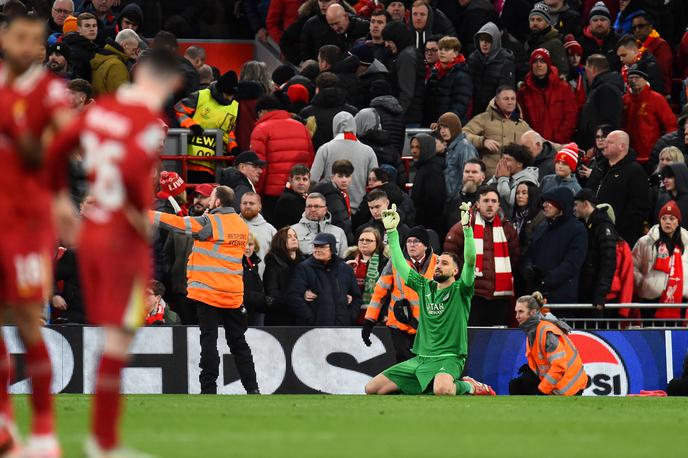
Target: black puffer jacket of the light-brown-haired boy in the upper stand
448, 93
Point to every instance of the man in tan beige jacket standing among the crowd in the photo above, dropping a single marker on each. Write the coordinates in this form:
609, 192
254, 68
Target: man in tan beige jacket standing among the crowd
501, 124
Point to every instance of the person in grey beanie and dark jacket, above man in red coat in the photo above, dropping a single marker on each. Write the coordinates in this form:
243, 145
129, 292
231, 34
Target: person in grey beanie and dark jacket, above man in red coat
543, 35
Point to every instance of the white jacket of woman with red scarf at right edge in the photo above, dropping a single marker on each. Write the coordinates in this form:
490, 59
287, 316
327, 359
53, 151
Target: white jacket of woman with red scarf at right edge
650, 283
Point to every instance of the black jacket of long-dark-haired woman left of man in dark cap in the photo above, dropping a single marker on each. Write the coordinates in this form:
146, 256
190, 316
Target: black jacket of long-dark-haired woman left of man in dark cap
276, 280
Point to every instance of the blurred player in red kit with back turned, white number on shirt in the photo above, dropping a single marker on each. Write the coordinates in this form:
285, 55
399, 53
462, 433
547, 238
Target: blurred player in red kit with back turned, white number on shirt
120, 138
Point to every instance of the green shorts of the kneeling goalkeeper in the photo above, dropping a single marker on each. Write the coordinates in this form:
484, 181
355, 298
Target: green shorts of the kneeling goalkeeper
415, 375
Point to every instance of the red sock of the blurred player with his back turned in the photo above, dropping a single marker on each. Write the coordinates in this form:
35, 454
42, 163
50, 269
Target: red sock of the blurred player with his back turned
107, 405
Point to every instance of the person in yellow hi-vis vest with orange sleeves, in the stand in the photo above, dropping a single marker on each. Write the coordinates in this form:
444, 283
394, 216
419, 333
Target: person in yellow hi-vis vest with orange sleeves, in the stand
212, 108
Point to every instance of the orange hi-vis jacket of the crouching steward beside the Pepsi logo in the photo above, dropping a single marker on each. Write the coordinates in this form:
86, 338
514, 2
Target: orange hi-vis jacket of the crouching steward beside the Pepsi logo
561, 370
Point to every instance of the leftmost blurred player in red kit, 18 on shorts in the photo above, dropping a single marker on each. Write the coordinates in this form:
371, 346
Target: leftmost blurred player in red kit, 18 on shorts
34, 104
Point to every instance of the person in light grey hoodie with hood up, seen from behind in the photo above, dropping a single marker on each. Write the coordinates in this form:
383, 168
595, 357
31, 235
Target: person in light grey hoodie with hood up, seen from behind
345, 145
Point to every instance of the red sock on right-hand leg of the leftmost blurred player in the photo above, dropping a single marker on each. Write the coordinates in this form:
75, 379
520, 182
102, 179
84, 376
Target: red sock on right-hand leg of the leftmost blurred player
39, 370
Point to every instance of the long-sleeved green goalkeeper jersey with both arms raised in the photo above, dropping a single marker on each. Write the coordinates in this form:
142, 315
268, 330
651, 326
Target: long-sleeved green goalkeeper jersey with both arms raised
443, 323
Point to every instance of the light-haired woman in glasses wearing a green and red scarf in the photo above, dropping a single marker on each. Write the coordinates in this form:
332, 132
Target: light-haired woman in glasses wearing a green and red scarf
367, 259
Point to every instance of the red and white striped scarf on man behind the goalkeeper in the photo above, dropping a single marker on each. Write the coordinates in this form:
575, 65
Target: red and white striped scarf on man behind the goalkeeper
504, 281
